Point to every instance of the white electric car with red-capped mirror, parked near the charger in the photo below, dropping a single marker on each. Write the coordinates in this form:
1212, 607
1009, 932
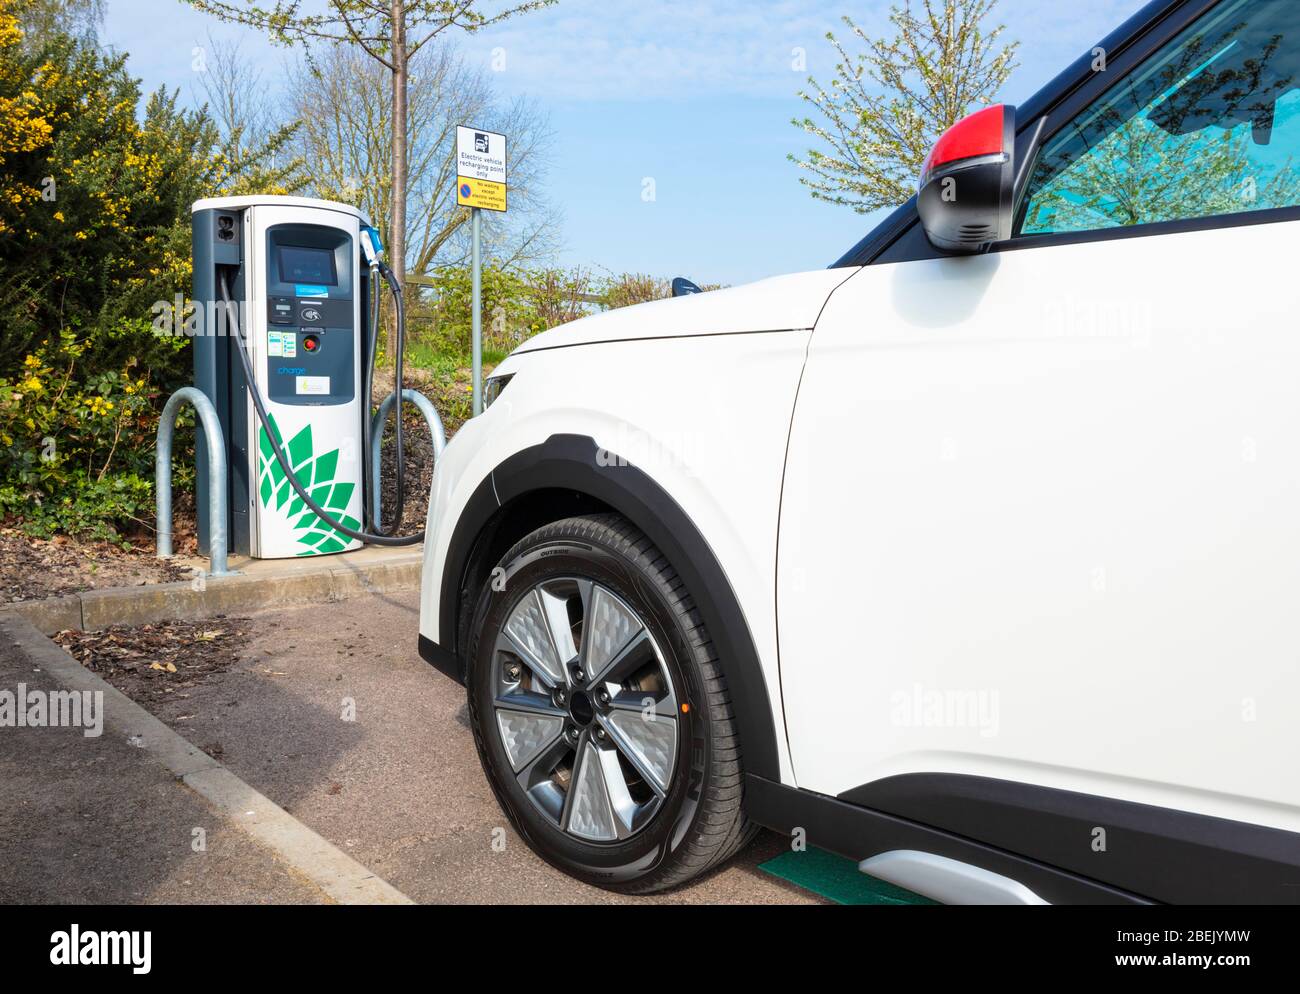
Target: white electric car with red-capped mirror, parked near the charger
974, 557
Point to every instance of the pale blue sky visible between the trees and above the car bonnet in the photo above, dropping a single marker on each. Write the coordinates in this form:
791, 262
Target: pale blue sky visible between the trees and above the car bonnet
695, 94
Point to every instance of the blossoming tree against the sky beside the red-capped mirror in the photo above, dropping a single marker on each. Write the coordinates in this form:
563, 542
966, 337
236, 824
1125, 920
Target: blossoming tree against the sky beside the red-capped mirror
889, 105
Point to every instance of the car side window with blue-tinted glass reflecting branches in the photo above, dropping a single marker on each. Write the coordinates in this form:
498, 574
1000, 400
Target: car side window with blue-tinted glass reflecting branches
1208, 127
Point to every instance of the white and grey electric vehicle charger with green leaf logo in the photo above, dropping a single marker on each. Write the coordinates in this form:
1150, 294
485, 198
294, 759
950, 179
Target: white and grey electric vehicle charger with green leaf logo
287, 294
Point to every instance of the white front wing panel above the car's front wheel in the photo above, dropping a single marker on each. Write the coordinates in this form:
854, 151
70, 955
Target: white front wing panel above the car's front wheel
707, 418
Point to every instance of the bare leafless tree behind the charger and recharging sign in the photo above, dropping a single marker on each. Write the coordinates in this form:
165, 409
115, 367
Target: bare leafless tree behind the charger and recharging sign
346, 141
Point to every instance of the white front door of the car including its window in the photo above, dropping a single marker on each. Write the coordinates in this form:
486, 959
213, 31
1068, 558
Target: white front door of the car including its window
1042, 510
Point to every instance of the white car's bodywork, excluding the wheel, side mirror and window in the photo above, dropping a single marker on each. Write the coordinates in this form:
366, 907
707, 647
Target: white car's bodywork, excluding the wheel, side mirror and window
1017, 536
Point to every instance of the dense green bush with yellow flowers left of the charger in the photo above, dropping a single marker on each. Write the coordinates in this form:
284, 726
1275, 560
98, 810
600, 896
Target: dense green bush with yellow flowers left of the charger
94, 231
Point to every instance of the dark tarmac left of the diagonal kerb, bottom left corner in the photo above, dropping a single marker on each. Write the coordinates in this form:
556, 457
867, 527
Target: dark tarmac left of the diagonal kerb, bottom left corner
98, 822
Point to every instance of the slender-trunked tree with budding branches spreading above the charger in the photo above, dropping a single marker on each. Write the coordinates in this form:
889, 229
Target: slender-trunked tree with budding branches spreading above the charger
392, 36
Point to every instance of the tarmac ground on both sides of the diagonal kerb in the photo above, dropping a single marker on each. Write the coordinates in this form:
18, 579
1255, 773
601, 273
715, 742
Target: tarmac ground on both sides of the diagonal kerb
332, 715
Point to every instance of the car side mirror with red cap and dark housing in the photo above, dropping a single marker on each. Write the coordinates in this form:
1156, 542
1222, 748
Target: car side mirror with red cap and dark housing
967, 197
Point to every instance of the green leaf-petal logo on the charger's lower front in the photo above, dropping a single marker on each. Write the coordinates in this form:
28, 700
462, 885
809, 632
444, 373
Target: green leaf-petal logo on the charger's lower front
317, 475
